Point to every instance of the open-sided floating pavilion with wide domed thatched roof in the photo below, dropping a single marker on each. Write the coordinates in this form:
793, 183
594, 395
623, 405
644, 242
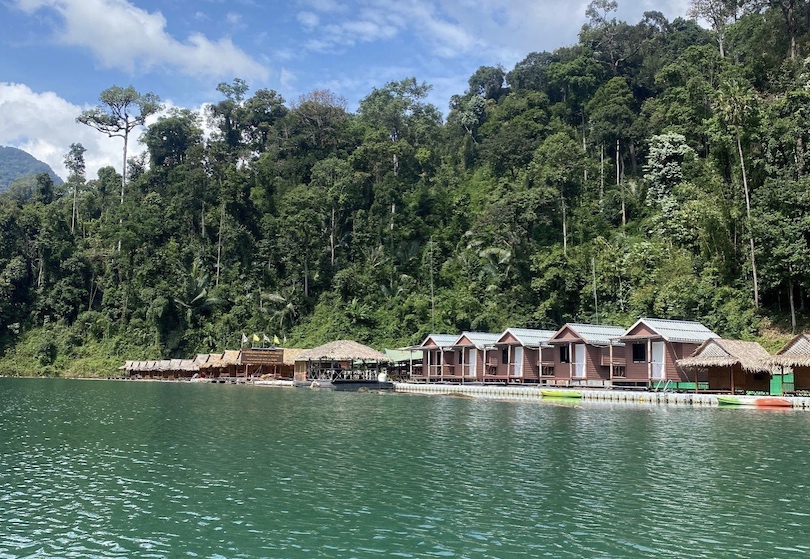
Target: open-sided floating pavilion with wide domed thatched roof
343, 363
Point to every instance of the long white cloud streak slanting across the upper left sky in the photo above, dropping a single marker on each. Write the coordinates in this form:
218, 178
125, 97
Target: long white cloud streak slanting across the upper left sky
121, 35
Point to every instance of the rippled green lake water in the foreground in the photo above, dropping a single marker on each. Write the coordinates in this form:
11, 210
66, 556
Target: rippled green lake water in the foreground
118, 469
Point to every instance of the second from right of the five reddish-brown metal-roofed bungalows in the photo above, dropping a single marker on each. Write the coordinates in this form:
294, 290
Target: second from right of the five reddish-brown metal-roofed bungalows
583, 354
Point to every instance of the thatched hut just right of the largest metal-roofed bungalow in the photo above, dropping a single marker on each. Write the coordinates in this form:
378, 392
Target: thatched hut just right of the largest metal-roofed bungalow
731, 366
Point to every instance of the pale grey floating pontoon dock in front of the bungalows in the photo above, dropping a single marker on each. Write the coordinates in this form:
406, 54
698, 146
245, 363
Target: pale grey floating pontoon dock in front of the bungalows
524, 392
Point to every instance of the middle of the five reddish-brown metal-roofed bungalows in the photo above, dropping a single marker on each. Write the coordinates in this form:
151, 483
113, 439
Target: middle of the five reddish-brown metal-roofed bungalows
522, 355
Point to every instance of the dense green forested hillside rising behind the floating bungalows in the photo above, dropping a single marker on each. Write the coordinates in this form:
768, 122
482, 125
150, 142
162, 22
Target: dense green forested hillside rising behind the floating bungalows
652, 169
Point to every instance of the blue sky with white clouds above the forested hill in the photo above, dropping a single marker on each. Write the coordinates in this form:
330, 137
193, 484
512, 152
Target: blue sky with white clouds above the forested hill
56, 56
